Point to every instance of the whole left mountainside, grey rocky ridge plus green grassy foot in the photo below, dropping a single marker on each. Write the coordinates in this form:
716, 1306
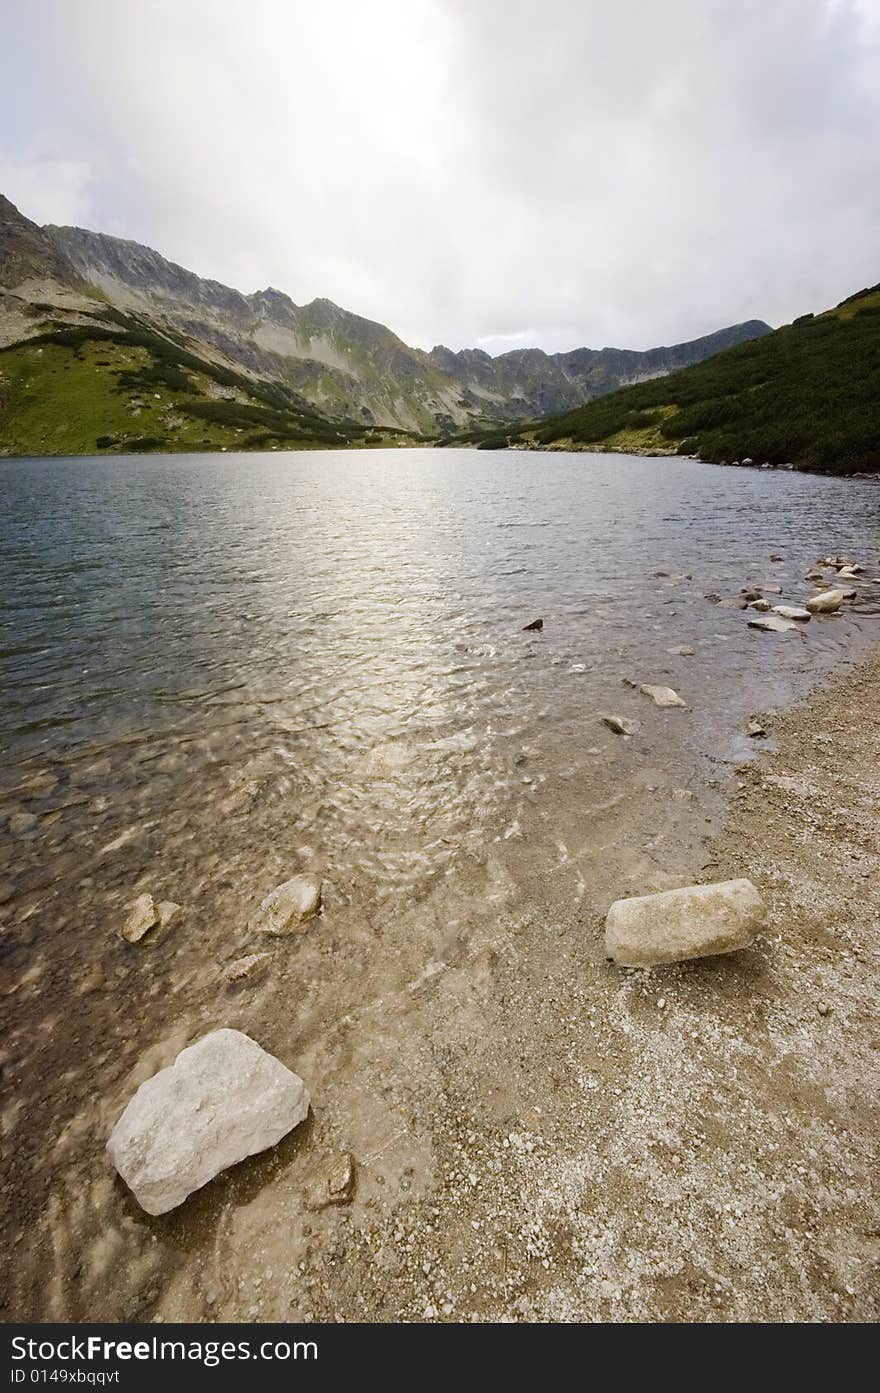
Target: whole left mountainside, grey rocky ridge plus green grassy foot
108, 346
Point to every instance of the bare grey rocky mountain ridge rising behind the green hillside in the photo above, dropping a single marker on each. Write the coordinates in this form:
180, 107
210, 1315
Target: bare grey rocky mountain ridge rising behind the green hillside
346, 366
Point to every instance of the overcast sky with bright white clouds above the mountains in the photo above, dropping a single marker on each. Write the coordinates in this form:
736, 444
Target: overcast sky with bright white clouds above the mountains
470, 172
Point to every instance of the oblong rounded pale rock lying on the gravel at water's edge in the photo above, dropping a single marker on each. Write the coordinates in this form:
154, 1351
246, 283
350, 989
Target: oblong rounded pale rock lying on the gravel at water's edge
675, 926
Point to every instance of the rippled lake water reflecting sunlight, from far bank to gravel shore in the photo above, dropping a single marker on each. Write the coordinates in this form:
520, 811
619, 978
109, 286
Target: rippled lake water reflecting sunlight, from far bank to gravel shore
219, 671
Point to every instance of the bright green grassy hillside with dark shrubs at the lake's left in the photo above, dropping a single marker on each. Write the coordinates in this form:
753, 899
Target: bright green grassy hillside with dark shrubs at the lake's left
119, 385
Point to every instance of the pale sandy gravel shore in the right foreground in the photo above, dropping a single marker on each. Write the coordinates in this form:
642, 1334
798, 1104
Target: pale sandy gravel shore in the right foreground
698, 1143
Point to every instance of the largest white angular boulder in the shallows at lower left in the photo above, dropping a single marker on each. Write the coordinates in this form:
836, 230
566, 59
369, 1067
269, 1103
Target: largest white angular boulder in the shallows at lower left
223, 1100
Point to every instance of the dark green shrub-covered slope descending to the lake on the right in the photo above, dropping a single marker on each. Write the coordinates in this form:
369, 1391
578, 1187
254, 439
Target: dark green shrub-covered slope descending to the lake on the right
808, 395
